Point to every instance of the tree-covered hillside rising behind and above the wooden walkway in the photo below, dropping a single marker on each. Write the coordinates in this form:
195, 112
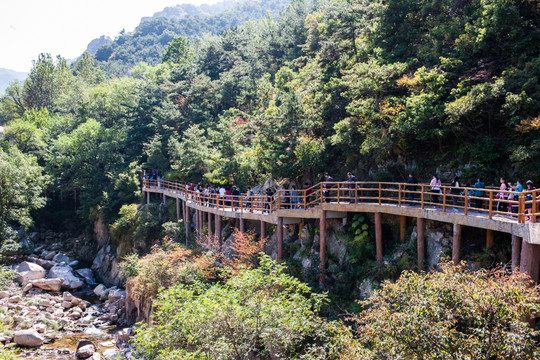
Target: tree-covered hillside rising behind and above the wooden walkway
376, 87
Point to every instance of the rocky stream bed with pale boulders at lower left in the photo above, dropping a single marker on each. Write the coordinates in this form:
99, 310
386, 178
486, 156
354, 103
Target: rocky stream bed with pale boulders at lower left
55, 309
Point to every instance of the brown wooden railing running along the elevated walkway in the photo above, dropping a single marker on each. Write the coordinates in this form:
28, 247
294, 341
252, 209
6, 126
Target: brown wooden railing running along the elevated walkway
494, 204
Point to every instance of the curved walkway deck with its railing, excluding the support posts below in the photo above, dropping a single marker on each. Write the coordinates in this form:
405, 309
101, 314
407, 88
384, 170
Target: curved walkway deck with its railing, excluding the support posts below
504, 211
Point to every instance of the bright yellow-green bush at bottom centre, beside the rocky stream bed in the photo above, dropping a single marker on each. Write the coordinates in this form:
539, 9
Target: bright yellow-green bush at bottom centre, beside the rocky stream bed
261, 313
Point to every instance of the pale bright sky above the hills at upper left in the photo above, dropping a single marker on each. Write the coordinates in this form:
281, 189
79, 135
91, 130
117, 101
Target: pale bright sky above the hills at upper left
65, 27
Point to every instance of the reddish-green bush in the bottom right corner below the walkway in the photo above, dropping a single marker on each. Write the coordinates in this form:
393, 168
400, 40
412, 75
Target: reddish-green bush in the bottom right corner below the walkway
452, 314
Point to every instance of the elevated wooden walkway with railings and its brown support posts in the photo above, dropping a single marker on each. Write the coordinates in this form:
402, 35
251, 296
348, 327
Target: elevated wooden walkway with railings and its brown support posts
512, 213
